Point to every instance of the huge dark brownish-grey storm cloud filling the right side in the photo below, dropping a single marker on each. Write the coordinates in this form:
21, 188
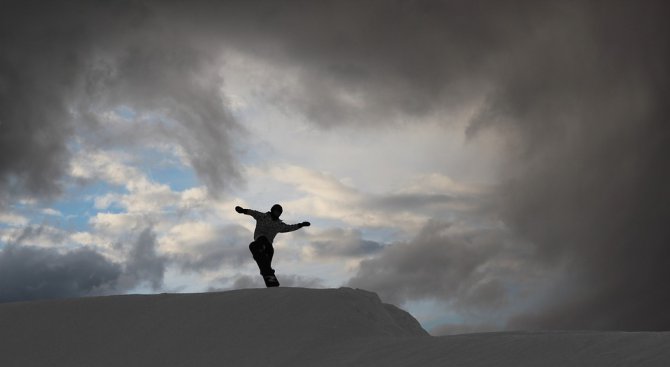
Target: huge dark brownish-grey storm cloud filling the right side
589, 184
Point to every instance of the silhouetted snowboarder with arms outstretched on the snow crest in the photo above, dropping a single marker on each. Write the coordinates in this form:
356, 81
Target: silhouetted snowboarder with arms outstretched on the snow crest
267, 227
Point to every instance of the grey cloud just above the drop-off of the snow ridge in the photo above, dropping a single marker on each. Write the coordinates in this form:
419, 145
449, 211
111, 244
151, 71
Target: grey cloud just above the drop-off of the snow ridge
480, 273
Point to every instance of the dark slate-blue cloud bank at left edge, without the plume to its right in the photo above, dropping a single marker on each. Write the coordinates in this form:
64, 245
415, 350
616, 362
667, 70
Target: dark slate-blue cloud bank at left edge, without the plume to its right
31, 273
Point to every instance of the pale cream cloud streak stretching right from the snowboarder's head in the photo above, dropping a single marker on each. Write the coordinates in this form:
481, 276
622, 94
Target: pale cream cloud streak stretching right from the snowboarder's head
406, 209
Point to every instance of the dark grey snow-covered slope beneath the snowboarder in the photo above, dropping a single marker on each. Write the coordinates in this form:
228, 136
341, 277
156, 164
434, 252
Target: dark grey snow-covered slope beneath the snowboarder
285, 327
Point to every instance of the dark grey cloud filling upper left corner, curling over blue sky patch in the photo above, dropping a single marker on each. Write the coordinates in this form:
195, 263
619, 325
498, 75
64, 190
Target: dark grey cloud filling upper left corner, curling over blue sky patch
62, 64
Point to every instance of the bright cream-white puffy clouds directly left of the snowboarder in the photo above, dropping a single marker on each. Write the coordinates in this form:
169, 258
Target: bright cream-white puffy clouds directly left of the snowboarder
165, 227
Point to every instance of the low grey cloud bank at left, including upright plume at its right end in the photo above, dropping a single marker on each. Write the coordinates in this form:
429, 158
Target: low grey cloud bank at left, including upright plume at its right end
32, 273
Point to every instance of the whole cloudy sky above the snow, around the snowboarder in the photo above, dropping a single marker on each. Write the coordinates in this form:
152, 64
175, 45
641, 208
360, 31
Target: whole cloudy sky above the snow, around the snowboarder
484, 165
